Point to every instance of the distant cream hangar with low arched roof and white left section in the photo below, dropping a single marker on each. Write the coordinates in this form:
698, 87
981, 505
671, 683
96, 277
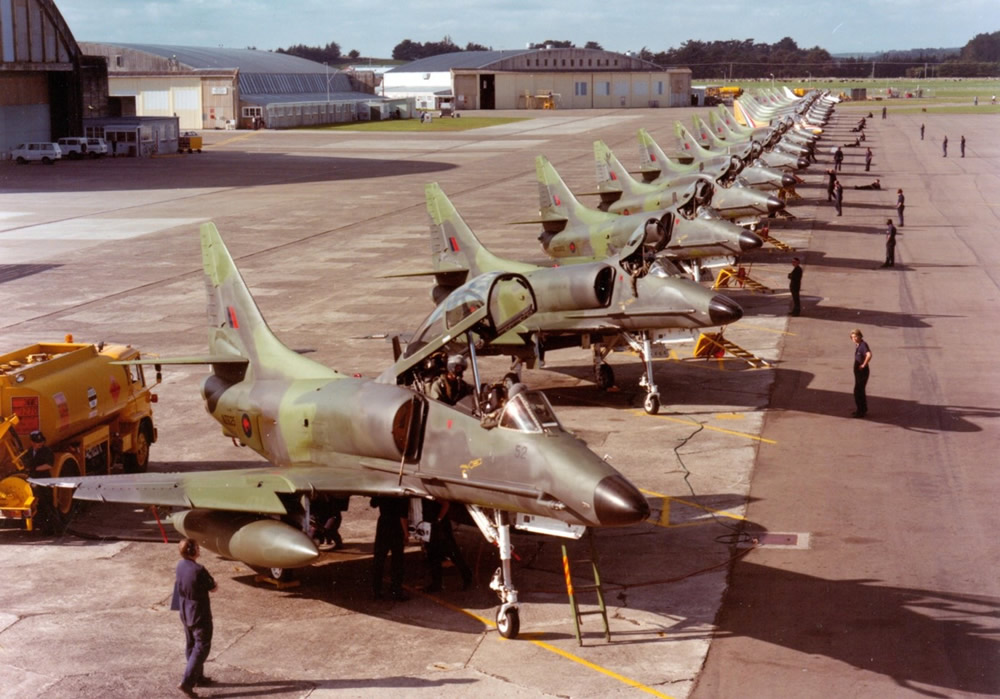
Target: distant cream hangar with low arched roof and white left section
571, 78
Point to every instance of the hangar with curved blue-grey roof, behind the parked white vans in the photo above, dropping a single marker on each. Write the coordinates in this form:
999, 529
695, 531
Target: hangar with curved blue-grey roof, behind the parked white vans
214, 88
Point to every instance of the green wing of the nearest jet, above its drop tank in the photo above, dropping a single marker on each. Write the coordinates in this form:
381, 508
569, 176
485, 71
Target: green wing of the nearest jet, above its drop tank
254, 490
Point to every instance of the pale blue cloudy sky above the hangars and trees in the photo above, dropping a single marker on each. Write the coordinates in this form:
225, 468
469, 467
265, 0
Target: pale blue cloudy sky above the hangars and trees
374, 27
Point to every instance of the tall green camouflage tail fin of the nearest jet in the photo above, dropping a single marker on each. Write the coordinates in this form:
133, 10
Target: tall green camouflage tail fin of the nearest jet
236, 326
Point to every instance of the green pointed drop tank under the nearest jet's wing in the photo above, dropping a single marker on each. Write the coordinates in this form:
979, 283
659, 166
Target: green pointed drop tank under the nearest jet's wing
257, 541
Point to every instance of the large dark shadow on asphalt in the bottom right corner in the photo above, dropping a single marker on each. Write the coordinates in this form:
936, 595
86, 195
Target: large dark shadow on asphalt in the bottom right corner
872, 627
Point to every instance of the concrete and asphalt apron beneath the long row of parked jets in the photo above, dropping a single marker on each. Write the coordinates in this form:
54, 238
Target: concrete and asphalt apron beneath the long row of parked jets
108, 250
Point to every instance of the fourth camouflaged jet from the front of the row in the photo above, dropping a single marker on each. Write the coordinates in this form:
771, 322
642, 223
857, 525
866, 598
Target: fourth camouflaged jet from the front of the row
622, 194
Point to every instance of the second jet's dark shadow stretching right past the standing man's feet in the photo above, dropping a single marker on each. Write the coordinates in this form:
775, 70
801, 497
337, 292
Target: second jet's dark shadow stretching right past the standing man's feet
687, 391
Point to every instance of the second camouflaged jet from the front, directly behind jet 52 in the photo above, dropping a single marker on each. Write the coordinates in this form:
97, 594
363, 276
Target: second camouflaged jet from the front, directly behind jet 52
628, 299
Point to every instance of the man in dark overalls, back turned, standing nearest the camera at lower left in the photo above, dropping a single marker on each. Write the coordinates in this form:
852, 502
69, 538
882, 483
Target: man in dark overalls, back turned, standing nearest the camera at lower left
191, 588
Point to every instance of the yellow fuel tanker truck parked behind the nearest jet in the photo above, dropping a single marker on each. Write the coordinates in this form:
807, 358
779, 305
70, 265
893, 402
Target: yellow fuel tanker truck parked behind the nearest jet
93, 413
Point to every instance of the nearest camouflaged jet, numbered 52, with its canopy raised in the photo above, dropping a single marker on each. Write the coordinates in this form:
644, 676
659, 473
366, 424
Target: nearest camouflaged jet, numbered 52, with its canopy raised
326, 432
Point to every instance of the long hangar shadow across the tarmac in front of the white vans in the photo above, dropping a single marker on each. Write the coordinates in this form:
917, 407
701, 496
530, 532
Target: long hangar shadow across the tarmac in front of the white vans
206, 170
